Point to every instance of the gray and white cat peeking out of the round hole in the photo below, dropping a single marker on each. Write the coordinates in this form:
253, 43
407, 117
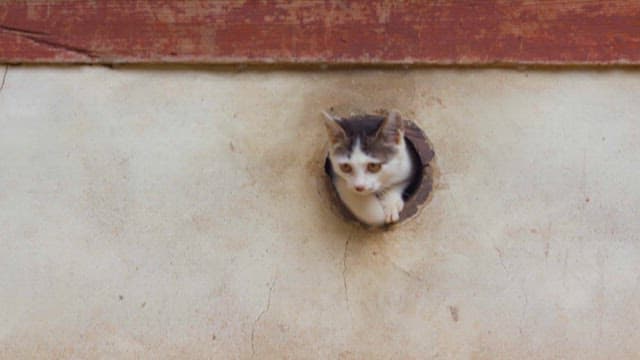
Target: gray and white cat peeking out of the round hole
372, 165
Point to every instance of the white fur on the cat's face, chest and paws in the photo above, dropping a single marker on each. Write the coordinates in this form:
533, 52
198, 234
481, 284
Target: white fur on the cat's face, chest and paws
381, 202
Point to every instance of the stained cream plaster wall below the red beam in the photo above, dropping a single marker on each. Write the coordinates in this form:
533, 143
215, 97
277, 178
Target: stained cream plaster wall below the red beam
182, 213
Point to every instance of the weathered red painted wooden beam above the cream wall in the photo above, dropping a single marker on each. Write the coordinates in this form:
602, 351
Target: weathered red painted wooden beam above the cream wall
476, 32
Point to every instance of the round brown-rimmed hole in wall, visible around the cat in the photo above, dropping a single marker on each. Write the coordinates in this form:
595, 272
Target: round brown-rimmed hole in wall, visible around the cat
417, 193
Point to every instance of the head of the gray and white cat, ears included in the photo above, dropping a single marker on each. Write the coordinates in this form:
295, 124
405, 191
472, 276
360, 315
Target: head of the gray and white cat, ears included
362, 147
